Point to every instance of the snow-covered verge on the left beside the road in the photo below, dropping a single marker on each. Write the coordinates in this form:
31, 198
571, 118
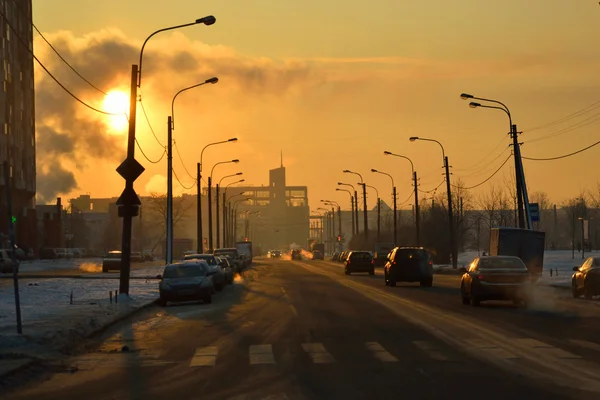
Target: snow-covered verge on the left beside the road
50, 320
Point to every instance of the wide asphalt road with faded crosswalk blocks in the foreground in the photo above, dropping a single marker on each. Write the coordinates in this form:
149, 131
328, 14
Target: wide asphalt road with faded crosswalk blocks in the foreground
304, 330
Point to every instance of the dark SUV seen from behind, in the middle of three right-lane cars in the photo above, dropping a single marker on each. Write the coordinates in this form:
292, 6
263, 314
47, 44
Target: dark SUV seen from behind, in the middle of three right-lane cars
408, 264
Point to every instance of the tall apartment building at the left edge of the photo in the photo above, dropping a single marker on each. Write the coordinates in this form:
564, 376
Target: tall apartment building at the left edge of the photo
17, 121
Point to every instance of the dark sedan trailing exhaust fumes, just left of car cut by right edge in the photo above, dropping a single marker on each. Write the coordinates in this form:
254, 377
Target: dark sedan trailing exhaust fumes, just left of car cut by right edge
495, 278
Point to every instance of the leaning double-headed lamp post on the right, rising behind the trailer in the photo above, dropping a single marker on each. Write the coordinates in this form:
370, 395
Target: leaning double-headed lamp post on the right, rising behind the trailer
525, 221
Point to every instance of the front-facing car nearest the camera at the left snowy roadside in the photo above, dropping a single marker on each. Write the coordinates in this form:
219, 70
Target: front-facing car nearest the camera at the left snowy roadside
185, 281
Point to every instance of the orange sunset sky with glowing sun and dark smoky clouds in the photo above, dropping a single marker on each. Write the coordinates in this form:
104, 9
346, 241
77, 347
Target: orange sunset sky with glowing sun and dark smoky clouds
331, 85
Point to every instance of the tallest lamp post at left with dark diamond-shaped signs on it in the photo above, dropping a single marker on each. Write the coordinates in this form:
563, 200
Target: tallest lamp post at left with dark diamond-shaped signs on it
131, 169
